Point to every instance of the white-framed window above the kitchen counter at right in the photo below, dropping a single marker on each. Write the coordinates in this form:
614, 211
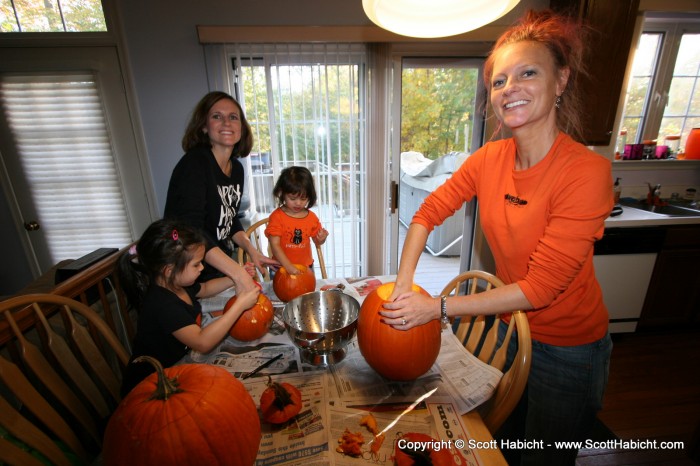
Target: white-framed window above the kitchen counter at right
663, 94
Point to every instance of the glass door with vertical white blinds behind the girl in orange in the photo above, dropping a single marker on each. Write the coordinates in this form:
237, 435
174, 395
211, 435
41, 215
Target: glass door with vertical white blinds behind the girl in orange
305, 104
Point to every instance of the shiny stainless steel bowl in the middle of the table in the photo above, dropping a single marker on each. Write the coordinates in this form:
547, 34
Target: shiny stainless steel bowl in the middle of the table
321, 324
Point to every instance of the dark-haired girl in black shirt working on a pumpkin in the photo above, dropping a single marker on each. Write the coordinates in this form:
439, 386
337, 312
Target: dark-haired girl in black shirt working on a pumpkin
159, 276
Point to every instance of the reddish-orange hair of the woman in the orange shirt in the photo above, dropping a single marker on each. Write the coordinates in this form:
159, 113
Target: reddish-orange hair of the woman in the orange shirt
565, 38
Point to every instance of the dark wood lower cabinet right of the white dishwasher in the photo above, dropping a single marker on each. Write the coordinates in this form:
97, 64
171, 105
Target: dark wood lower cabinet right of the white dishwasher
673, 297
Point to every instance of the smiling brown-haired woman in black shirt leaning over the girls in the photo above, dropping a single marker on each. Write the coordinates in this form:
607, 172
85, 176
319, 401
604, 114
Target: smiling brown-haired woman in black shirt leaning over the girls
206, 185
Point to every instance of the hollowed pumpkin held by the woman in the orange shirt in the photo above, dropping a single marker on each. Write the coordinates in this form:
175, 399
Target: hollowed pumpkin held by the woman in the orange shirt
395, 354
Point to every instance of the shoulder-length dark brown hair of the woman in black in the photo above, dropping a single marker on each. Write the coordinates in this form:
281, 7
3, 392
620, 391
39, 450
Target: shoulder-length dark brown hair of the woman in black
195, 136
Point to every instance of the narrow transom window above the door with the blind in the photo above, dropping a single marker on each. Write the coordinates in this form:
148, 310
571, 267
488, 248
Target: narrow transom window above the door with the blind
51, 16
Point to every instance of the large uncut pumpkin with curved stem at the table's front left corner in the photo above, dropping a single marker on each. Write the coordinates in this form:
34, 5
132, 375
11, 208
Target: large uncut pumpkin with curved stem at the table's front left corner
190, 414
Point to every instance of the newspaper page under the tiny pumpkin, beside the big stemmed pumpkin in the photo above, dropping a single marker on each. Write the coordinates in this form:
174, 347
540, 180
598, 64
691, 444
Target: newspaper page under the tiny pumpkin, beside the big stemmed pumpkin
305, 438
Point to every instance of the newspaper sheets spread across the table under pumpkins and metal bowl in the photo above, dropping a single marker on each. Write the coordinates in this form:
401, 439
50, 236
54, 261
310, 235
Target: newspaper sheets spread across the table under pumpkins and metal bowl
337, 396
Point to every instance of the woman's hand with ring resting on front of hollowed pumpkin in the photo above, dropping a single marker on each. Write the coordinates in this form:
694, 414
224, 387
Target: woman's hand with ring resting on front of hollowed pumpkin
410, 310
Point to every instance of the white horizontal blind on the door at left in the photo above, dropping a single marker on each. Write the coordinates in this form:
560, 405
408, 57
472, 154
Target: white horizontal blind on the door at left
63, 141
